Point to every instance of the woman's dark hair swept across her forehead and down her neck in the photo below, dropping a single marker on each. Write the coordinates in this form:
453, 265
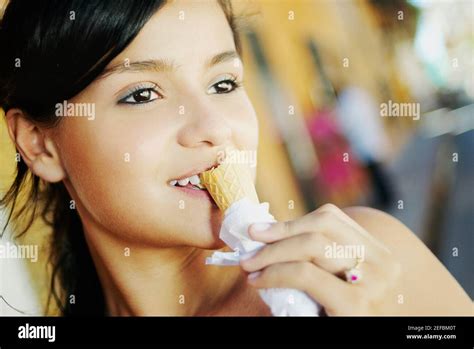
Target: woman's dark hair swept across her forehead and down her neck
51, 51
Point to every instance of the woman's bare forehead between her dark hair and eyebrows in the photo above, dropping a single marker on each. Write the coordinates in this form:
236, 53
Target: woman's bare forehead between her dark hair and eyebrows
182, 32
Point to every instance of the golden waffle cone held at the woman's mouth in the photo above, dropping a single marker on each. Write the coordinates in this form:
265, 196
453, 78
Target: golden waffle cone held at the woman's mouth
229, 183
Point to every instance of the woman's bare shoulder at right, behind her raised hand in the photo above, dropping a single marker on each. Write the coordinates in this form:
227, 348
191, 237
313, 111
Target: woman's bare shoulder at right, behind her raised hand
427, 287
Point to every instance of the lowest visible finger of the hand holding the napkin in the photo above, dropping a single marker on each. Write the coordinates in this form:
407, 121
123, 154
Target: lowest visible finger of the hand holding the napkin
325, 288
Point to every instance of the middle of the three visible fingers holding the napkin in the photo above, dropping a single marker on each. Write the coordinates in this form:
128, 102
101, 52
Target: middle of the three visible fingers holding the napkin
307, 247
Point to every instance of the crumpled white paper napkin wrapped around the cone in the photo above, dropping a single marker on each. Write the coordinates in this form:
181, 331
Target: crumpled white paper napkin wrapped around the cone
237, 218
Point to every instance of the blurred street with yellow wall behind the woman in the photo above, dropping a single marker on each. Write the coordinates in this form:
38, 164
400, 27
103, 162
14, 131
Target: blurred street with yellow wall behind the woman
360, 102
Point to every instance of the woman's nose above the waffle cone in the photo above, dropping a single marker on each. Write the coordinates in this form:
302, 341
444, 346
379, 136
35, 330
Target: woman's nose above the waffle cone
204, 126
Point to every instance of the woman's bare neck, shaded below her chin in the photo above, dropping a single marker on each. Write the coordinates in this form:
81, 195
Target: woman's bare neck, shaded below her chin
142, 281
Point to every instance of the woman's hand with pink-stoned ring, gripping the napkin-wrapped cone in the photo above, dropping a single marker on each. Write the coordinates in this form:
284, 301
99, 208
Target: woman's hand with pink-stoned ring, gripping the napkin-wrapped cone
305, 254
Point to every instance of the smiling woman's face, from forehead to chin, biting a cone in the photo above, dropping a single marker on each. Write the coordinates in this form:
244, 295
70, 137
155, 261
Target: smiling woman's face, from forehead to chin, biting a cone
165, 108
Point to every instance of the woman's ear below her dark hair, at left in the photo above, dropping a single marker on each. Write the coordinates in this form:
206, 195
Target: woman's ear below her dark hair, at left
38, 151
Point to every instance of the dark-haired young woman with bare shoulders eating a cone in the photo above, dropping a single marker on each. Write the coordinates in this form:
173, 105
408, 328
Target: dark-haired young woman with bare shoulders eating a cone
159, 84
